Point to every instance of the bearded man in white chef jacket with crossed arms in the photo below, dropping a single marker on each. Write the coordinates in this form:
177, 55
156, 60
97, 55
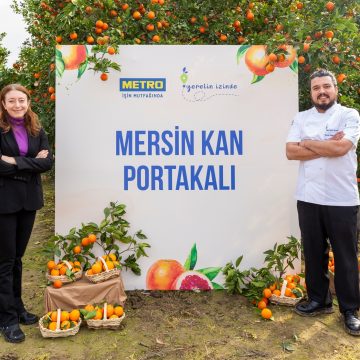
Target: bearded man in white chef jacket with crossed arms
324, 139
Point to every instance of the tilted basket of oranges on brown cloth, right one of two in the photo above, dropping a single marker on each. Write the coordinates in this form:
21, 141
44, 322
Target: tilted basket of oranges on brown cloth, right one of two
107, 267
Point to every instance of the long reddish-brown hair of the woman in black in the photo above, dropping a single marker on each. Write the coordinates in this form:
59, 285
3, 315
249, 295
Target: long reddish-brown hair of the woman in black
32, 123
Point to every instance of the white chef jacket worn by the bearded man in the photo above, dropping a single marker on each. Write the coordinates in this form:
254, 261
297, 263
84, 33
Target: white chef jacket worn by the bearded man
327, 180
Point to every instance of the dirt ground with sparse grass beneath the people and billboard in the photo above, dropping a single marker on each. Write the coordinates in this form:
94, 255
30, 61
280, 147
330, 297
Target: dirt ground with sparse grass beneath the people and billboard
177, 325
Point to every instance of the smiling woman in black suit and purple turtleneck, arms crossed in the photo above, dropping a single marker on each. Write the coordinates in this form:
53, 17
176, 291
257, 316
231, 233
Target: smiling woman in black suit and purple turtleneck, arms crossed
24, 154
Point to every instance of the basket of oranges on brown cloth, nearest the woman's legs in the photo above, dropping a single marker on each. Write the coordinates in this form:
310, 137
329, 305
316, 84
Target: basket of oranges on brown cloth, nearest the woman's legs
65, 271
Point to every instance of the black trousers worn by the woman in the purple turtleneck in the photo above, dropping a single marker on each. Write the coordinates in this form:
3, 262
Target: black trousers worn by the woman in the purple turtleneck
15, 231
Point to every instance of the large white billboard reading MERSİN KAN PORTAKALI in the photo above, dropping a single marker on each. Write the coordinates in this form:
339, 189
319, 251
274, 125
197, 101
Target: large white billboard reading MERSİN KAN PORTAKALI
192, 140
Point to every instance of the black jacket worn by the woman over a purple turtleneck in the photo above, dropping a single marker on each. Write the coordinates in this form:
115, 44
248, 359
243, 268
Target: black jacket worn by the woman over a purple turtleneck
20, 184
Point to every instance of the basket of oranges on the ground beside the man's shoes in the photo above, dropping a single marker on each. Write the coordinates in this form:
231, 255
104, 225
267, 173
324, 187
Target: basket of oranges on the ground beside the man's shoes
289, 294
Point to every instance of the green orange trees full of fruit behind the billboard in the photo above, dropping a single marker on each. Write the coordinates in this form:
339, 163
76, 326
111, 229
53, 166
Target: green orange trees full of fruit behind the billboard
324, 33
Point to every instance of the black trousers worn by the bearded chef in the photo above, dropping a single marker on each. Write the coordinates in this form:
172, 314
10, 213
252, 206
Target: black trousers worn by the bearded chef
319, 223
